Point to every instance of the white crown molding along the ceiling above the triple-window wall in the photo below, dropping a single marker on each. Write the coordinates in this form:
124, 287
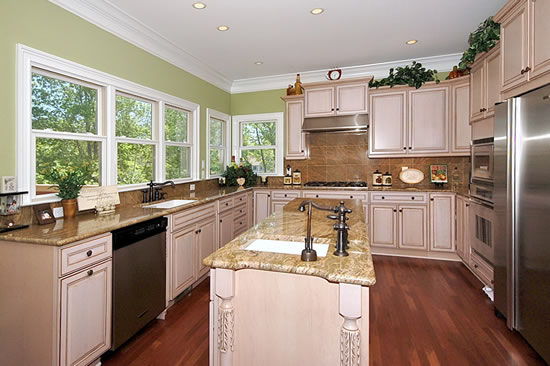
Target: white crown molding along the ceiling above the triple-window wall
112, 19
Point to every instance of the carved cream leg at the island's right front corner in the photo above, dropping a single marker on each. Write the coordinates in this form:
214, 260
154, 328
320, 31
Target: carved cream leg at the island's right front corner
350, 335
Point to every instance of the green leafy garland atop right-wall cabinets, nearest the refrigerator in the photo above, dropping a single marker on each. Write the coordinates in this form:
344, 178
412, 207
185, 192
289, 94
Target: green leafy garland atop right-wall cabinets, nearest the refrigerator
481, 40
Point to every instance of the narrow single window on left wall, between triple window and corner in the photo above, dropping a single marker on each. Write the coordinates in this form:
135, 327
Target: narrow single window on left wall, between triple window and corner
218, 138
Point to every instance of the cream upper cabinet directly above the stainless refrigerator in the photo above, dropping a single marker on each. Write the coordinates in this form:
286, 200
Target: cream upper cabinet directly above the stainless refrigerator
525, 50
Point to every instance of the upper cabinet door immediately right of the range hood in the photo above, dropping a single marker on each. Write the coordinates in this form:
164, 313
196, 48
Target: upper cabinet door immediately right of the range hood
388, 121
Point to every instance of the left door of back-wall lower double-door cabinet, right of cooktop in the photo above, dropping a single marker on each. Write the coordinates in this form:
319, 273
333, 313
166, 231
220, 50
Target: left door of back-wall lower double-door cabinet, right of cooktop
383, 226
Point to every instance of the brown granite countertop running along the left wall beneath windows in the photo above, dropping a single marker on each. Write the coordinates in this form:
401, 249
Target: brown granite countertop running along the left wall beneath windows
87, 225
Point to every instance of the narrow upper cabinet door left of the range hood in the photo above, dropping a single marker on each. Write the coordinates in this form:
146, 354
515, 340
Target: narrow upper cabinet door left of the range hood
295, 139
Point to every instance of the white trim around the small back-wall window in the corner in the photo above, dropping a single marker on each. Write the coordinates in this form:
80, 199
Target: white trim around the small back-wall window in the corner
279, 148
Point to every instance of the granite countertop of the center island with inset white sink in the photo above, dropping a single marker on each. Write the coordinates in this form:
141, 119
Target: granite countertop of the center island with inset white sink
290, 224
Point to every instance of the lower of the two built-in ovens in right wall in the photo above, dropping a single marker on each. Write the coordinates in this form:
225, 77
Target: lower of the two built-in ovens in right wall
482, 223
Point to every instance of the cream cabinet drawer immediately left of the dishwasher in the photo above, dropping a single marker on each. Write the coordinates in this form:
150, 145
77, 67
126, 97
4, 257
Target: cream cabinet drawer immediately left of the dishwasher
84, 253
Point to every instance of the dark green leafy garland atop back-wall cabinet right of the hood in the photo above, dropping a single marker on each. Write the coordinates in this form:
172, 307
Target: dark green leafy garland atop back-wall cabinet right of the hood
412, 75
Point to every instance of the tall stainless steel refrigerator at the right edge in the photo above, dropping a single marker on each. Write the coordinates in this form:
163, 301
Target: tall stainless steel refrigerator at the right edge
522, 216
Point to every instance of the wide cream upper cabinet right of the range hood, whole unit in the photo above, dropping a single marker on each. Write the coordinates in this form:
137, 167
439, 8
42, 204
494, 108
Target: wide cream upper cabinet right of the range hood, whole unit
429, 121
